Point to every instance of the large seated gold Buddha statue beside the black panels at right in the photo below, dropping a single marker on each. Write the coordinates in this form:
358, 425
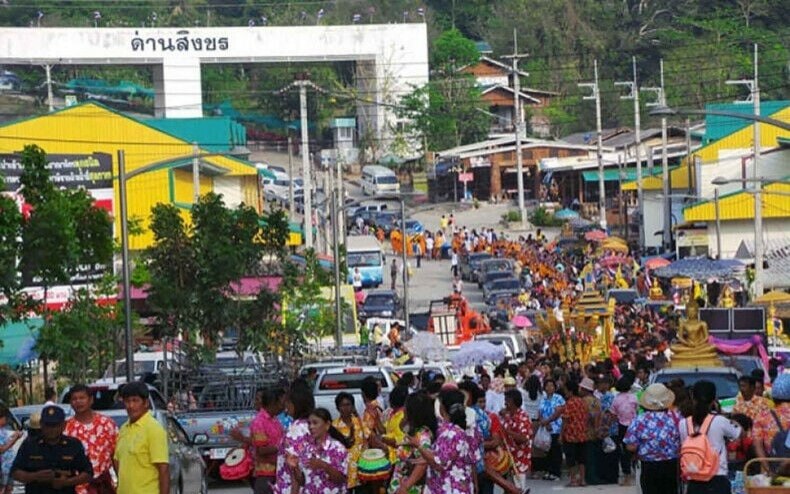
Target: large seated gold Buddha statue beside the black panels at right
693, 348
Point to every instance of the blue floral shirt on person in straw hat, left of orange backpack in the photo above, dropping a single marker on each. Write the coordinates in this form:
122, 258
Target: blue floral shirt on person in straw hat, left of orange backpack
656, 434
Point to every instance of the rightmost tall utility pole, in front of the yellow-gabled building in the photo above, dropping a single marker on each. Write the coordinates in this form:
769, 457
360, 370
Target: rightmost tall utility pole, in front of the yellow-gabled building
754, 98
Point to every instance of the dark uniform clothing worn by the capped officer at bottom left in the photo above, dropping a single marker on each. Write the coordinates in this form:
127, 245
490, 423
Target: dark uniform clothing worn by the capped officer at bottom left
36, 455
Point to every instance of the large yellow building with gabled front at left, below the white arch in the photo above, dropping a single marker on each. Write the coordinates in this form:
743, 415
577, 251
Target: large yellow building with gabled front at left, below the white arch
92, 128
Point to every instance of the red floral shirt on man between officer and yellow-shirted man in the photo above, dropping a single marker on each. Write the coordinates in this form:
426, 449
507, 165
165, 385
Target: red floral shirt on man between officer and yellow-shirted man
98, 438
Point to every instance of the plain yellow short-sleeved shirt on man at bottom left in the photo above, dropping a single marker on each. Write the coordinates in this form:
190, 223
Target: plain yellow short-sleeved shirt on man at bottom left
141, 445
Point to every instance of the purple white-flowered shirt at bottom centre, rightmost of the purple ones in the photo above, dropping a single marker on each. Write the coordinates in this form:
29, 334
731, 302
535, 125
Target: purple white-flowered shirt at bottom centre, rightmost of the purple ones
456, 455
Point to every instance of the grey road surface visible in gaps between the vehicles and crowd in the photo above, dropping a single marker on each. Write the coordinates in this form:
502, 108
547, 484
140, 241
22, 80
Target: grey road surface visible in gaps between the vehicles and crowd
433, 281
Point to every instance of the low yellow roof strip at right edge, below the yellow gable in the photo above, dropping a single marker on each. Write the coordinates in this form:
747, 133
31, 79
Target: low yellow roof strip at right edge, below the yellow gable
740, 205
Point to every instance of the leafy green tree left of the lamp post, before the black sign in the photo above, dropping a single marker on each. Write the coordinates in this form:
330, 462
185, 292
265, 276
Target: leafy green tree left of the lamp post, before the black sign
66, 235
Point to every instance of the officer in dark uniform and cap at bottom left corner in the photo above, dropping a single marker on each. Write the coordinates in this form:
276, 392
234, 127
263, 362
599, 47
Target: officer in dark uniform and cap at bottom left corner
54, 463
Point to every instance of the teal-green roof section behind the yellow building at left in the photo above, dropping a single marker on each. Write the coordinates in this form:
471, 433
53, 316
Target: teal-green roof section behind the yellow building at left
216, 134
